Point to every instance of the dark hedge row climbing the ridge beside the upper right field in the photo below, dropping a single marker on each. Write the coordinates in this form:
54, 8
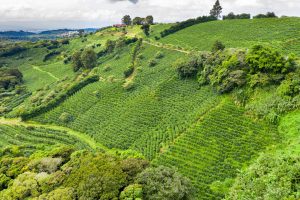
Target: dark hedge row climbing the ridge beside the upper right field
190, 22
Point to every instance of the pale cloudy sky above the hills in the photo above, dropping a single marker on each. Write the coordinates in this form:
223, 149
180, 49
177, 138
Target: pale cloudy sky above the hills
50, 14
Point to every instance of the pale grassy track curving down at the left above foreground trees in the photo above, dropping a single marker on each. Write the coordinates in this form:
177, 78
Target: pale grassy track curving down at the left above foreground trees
81, 136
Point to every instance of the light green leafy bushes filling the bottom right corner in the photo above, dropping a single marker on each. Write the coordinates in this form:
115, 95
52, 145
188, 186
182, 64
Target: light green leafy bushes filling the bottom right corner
272, 176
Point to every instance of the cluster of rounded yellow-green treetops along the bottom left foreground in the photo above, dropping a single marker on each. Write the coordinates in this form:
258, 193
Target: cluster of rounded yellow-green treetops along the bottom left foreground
64, 173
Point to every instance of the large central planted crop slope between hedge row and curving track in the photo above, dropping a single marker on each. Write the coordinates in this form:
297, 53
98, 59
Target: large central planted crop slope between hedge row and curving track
157, 110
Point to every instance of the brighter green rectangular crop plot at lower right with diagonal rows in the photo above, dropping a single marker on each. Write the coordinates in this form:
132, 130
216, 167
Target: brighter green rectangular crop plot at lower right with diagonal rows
216, 147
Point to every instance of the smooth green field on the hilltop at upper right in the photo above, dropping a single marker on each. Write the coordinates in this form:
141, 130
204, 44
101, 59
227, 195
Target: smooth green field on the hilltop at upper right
282, 33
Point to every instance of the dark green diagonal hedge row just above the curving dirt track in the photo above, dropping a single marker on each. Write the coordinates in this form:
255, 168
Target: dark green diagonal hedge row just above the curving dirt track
59, 99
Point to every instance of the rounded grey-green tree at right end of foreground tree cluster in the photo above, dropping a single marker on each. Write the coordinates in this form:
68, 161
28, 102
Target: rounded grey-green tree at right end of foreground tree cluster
156, 183
